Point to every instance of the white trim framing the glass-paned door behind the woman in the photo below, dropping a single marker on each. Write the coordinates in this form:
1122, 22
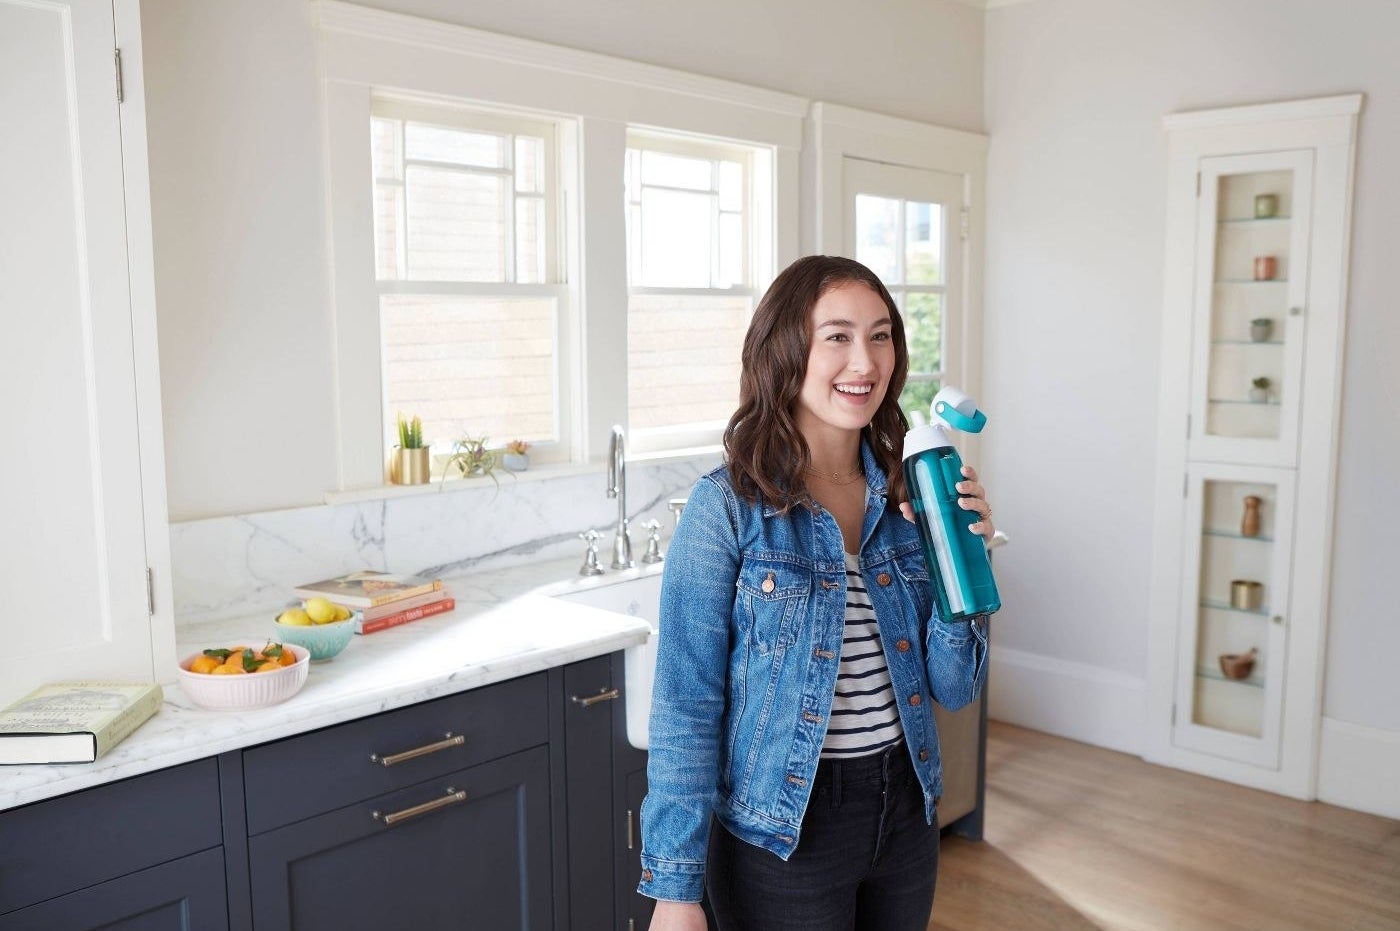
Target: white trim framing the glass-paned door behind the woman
845, 132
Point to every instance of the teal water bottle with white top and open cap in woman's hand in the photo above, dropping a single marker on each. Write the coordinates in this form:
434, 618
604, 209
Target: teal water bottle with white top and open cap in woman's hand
957, 558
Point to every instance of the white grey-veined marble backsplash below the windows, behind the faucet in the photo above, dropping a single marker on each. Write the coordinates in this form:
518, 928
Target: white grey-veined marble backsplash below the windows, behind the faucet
244, 565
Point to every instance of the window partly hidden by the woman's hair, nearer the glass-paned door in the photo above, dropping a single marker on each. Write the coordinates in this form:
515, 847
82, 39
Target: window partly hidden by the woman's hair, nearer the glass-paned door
699, 246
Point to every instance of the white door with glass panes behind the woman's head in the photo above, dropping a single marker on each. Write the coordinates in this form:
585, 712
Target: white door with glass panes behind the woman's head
906, 226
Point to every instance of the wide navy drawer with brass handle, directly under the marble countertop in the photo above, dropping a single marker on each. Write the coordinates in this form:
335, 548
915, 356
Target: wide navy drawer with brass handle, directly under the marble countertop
313, 773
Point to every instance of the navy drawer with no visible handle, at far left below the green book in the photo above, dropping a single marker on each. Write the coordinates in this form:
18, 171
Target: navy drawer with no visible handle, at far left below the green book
68, 843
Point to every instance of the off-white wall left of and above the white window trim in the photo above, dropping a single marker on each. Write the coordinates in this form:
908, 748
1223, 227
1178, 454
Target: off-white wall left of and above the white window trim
239, 188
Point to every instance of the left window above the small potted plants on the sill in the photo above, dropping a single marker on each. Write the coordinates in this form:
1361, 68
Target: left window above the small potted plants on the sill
468, 274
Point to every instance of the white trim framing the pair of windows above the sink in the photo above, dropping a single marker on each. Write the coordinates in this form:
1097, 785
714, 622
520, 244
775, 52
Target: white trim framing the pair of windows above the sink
370, 52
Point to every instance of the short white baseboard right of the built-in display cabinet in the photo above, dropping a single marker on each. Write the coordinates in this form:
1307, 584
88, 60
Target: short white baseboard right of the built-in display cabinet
1360, 768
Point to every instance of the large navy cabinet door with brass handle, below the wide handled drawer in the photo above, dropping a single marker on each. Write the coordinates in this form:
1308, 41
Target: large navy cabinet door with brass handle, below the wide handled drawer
467, 850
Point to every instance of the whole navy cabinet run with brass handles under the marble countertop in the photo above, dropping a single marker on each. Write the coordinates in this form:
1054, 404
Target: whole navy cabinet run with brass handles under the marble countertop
496, 808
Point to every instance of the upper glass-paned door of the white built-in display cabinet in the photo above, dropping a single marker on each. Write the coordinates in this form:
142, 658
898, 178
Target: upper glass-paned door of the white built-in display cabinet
1249, 309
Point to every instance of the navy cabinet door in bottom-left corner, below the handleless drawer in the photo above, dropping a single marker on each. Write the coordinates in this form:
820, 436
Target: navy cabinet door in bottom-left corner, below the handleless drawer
184, 895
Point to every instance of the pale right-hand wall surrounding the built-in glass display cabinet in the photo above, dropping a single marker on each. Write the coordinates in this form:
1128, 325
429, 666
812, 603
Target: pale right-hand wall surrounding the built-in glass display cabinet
1076, 93
